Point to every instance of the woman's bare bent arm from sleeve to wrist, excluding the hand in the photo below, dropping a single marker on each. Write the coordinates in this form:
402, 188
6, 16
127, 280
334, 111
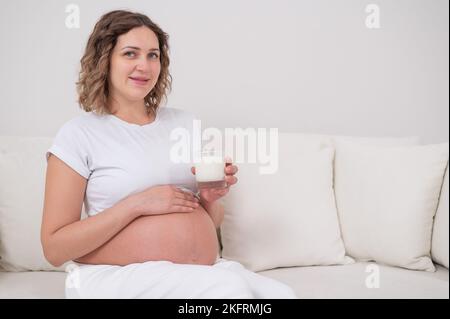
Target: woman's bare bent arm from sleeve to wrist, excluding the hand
64, 236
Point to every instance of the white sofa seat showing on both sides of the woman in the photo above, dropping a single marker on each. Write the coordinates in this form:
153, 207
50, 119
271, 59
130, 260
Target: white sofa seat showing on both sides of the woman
347, 281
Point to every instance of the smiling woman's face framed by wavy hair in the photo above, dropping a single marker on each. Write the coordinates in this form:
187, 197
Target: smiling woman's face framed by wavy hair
135, 65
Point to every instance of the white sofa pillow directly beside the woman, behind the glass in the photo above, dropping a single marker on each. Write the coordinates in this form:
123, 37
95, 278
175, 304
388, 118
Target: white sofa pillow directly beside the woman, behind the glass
288, 218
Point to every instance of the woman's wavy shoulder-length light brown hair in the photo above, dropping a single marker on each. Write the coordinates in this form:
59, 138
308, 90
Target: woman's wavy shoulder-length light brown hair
92, 85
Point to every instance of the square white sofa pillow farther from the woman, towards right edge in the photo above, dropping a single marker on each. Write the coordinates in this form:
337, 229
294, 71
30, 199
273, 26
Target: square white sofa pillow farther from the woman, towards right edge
386, 198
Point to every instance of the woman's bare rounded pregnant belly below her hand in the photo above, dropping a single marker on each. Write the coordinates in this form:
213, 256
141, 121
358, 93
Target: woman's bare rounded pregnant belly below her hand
185, 238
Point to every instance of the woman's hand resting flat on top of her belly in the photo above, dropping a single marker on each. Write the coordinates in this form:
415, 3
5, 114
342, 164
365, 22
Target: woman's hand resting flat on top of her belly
164, 199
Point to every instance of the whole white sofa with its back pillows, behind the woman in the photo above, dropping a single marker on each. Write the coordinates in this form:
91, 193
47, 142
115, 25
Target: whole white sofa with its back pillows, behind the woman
356, 269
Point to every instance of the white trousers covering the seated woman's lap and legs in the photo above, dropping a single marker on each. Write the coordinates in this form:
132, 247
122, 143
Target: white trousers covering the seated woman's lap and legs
163, 279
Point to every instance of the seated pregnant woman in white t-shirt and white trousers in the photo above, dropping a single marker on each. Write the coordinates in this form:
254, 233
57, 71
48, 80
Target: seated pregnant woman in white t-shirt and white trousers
148, 234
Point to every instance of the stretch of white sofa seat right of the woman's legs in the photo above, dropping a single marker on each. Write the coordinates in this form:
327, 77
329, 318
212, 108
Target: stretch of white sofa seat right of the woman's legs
357, 281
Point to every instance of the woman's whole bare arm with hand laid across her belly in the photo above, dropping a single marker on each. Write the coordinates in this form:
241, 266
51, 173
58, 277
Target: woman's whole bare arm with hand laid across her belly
65, 237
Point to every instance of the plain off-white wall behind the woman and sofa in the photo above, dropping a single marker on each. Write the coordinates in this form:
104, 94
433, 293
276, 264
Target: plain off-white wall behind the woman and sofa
307, 66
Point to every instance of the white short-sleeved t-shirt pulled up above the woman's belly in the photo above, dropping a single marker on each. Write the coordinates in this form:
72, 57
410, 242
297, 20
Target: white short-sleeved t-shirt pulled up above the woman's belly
119, 158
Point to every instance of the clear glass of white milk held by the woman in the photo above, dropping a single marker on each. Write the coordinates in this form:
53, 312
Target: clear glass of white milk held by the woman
210, 170
